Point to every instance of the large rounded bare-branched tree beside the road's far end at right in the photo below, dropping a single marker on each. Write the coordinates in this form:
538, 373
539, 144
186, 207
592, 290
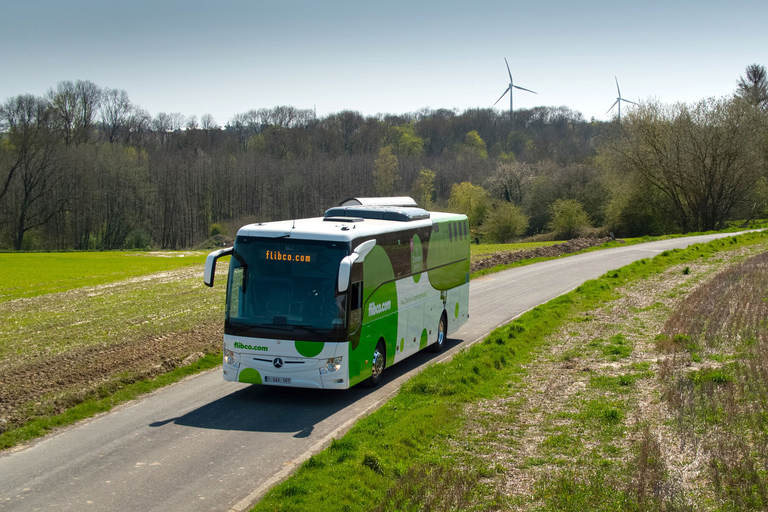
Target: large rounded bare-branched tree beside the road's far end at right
704, 158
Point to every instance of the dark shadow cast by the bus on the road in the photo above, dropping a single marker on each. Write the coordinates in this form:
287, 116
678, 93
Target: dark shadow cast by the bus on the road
276, 409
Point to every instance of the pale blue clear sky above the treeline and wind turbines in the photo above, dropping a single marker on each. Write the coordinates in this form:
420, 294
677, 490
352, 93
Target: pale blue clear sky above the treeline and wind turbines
386, 57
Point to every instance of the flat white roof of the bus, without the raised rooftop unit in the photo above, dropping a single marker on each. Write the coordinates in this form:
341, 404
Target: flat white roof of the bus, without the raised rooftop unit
339, 228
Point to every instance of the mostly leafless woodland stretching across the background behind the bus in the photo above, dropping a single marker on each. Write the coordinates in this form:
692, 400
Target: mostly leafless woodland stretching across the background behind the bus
84, 168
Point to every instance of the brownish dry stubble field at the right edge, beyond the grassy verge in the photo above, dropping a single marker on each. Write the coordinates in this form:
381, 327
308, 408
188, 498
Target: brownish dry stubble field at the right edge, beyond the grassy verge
720, 409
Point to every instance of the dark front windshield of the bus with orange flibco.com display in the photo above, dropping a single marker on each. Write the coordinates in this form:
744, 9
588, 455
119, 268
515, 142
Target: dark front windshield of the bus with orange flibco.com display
286, 289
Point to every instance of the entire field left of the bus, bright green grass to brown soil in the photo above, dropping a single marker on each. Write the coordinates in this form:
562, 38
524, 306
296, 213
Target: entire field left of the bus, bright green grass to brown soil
81, 328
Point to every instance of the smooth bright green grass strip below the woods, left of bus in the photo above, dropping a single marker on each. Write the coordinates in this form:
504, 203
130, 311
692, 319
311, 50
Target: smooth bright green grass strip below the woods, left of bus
31, 274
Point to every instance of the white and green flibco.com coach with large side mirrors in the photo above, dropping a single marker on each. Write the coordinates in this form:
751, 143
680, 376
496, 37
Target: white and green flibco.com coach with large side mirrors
330, 302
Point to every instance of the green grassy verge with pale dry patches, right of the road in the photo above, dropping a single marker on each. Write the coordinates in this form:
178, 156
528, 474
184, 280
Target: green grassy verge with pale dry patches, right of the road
450, 439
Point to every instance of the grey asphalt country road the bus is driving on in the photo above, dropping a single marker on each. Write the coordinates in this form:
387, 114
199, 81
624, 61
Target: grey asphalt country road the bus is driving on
206, 444
